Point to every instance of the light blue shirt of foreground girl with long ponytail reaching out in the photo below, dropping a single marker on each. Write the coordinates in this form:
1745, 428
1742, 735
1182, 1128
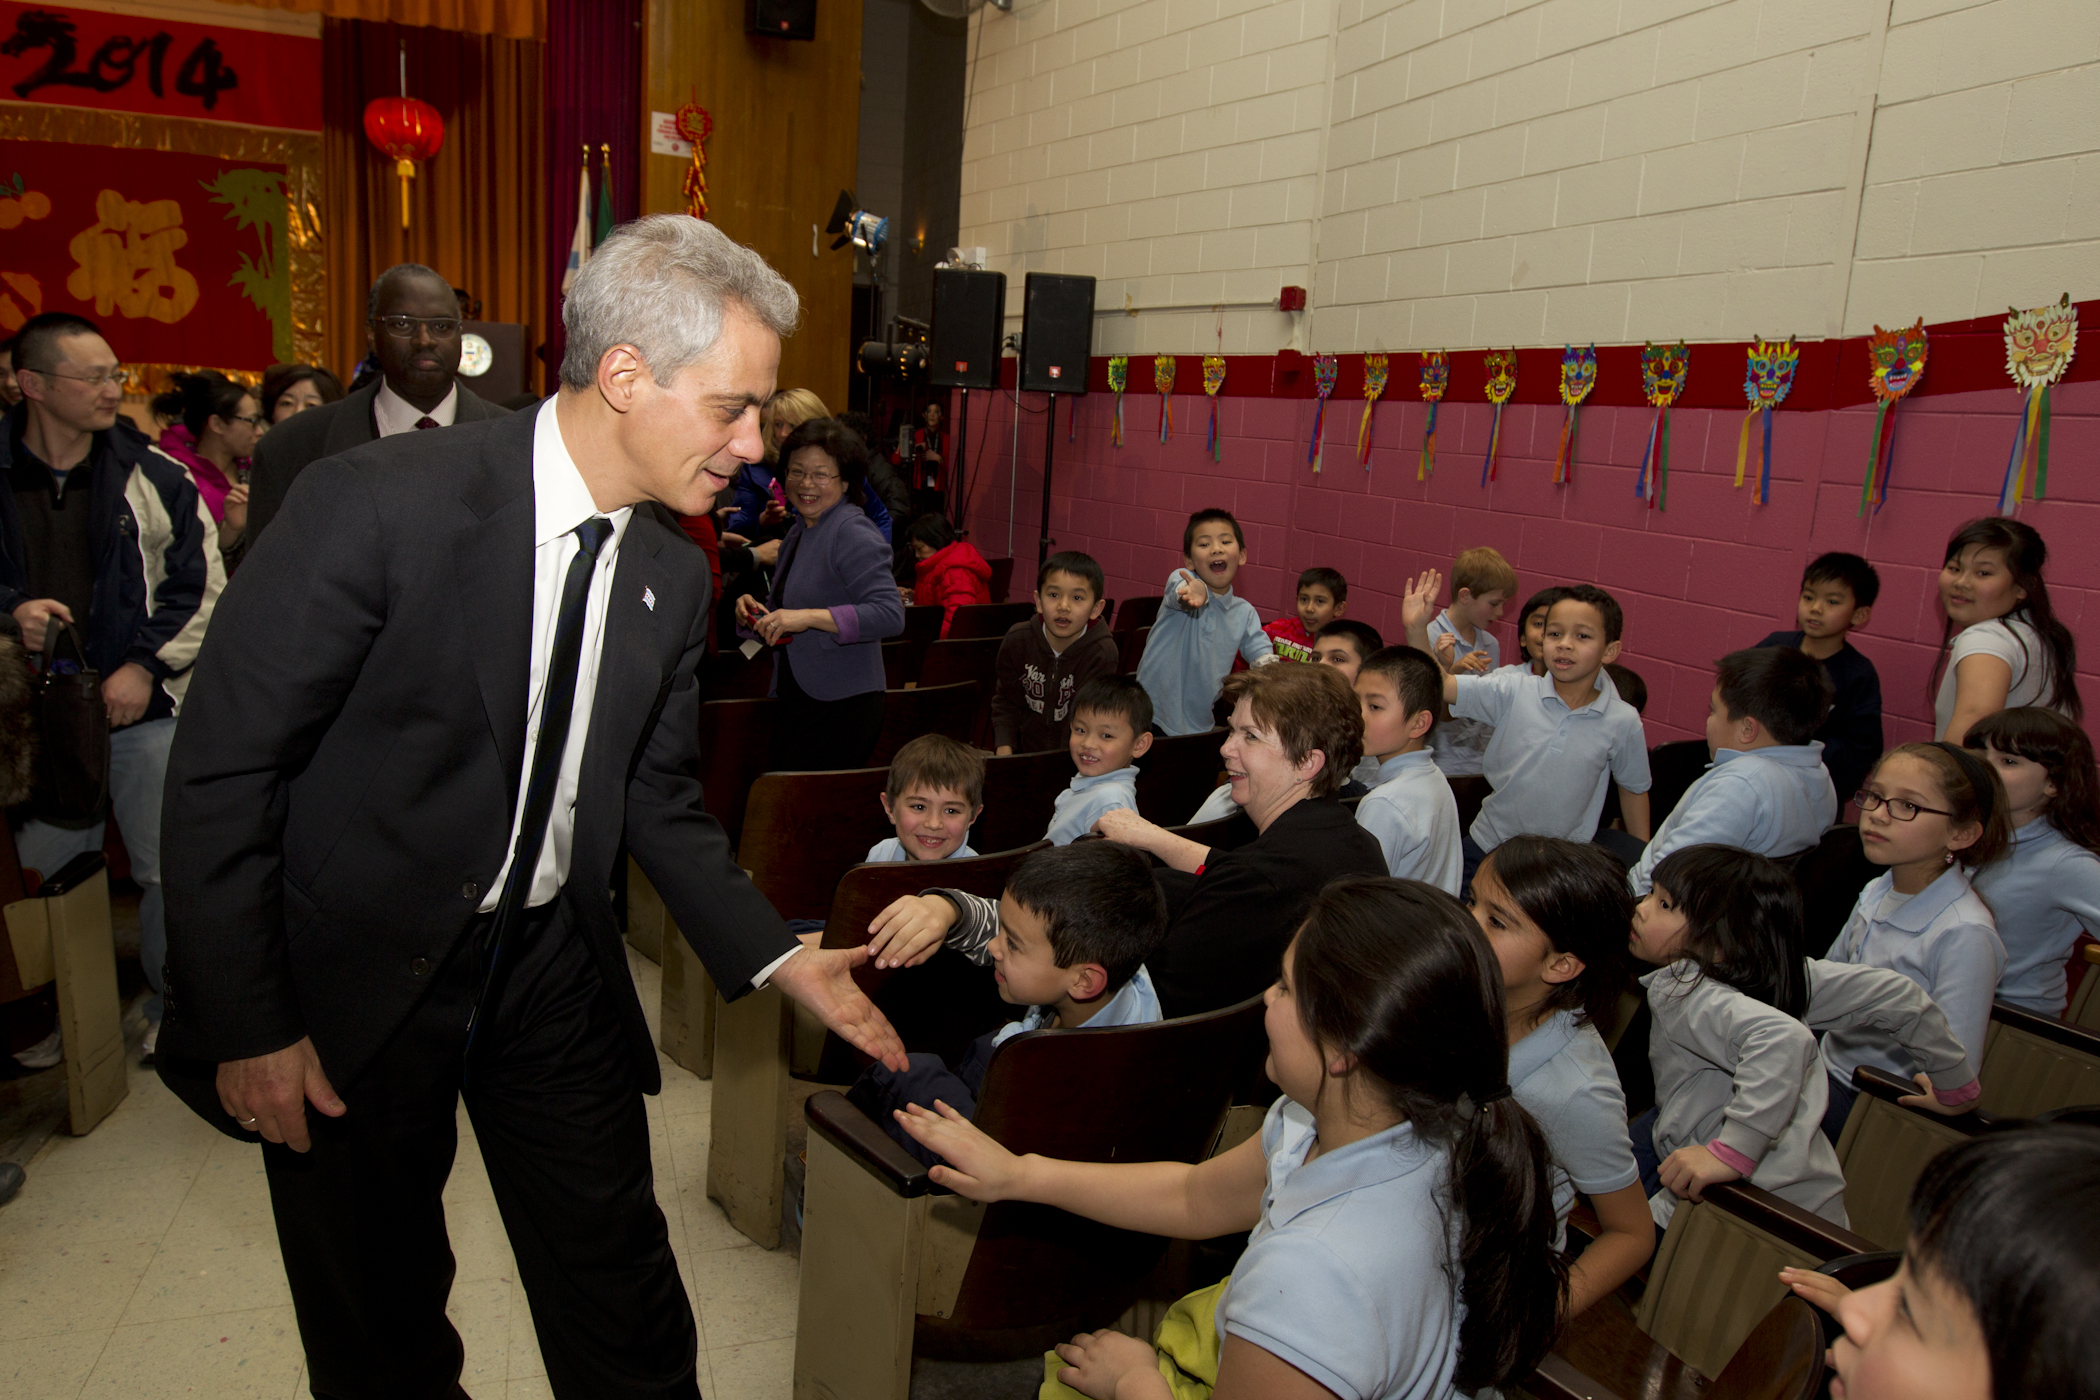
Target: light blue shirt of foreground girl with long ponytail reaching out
1351, 1273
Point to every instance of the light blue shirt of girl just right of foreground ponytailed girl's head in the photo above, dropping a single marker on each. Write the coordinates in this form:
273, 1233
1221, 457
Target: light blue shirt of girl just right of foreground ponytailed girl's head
1566, 1080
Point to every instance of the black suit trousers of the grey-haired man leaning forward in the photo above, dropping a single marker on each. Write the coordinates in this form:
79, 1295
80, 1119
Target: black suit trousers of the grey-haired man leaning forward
562, 1128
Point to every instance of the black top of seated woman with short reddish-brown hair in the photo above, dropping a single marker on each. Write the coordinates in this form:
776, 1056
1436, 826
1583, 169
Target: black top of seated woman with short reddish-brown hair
1230, 927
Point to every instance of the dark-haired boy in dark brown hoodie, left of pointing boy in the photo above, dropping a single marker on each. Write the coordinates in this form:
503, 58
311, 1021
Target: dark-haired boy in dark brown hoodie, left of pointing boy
1047, 660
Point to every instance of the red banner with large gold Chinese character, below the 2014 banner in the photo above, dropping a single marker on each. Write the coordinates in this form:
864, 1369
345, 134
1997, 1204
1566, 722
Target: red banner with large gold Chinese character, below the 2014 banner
180, 259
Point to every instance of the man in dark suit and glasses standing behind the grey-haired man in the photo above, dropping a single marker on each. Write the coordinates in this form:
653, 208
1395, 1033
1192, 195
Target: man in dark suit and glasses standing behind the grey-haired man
415, 324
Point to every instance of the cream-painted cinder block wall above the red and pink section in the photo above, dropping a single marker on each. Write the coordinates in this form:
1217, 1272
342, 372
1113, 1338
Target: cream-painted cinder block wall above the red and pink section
1465, 173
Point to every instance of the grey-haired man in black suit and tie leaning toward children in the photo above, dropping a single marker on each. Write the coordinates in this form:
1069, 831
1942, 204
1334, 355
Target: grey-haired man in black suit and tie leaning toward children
446, 685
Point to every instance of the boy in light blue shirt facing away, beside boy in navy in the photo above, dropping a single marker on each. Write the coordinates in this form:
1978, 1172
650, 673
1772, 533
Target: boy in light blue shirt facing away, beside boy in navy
1767, 790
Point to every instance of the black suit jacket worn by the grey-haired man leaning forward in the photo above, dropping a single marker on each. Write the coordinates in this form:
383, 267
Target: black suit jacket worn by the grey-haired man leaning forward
343, 782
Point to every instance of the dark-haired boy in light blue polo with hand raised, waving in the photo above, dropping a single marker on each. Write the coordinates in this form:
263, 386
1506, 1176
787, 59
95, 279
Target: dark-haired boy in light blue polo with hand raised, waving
1559, 738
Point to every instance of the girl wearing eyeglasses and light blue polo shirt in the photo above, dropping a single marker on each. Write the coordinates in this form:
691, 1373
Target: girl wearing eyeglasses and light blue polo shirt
1931, 813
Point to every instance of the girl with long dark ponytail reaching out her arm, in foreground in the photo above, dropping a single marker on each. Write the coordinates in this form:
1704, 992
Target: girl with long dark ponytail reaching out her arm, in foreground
1398, 1193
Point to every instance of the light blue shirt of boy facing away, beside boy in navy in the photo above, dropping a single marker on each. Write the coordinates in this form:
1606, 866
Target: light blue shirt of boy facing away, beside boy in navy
1776, 803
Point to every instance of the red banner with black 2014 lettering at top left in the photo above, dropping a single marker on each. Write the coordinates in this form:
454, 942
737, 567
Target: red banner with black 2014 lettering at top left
163, 68
